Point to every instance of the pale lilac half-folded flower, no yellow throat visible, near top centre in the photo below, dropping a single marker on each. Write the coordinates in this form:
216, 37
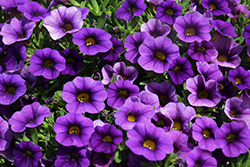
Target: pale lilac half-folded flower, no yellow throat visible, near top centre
155, 28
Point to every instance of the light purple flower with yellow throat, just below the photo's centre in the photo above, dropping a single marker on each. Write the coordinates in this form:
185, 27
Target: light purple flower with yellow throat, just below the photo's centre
132, 113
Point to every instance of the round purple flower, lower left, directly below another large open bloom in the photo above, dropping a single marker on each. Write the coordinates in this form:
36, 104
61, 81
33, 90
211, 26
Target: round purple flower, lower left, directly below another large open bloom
73, 129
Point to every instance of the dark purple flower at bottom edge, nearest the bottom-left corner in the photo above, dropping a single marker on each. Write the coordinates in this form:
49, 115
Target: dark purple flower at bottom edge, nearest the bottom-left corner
27, 154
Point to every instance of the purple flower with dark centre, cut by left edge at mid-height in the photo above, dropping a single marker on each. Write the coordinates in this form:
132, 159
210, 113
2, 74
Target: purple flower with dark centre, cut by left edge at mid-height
11, 88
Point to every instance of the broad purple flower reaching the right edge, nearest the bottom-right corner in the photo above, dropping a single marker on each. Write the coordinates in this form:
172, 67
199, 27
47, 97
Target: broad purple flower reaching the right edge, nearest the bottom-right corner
233, 138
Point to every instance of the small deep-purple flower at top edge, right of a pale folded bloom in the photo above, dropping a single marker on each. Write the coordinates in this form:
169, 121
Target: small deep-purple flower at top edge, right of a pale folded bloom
168, 11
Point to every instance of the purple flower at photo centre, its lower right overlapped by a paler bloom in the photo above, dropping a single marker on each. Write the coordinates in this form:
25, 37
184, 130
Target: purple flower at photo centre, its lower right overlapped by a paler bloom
119, 91
